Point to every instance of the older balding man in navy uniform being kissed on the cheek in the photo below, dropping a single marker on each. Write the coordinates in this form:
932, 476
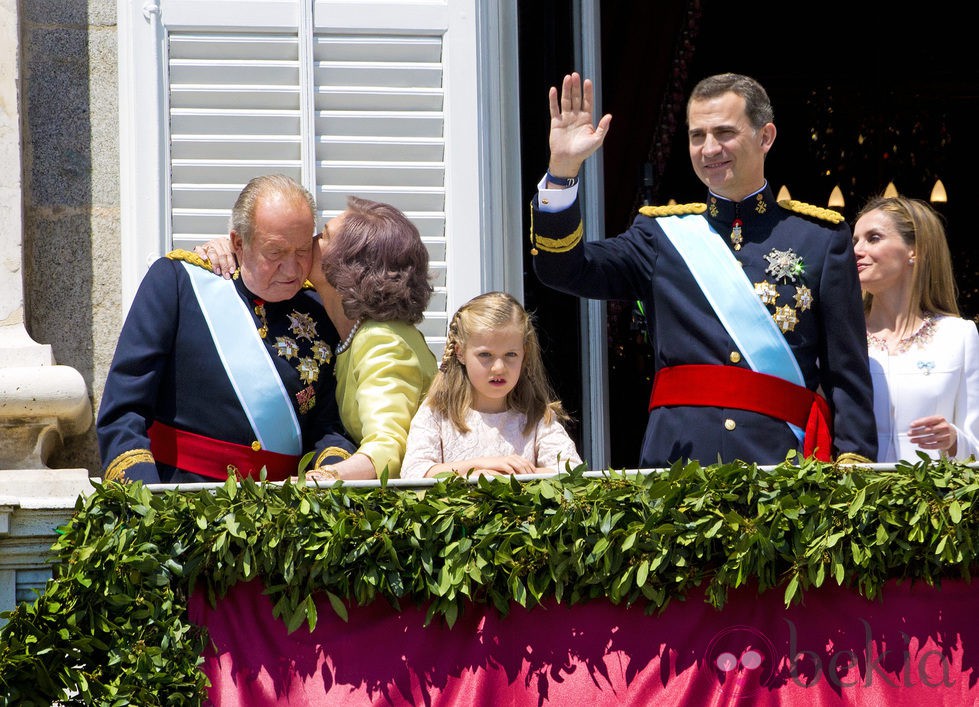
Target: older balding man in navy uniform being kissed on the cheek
216, 376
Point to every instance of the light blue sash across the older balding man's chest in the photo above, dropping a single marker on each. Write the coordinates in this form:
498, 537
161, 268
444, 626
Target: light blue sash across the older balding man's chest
246, 360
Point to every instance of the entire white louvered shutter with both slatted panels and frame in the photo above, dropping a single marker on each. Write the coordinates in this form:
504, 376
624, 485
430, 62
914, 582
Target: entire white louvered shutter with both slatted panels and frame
346, 97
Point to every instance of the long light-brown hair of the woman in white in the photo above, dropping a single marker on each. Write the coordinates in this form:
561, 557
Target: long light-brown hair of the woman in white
933, 286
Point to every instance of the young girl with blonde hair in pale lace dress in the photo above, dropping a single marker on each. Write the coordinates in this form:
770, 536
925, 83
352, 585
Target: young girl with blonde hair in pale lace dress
490, 409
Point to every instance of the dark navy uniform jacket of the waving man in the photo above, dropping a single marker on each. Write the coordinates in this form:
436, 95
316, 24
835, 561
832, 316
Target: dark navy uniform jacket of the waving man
829, 341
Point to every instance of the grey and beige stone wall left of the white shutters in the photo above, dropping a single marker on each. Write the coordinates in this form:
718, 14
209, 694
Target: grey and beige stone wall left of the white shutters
70, 134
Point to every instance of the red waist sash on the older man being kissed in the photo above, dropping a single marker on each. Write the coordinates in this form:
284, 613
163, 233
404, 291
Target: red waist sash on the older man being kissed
215, 458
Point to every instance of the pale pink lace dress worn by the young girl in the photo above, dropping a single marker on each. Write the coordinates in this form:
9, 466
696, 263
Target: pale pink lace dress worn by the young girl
433, 439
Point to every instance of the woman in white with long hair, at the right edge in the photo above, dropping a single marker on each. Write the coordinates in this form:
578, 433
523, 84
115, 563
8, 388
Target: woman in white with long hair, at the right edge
924, 358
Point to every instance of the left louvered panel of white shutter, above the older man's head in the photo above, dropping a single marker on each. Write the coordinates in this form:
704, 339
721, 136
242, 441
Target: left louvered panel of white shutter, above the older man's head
234, 114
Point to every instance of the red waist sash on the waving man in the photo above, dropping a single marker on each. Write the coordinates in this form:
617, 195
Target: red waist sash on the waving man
744, 389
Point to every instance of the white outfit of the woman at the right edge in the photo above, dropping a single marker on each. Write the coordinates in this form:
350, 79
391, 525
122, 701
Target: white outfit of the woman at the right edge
935, 371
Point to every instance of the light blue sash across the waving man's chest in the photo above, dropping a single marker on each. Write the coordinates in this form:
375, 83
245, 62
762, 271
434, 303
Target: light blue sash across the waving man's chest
733, 298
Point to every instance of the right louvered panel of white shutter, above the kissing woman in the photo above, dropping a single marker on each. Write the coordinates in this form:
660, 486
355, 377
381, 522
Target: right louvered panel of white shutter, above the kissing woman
379, 123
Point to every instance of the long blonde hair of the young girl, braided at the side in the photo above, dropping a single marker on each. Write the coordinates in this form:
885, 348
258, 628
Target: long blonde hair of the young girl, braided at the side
450, 394
